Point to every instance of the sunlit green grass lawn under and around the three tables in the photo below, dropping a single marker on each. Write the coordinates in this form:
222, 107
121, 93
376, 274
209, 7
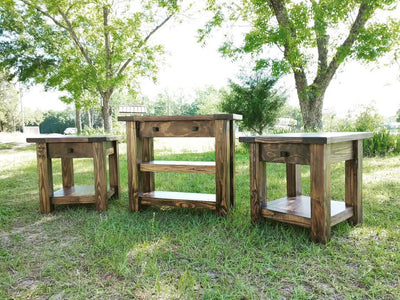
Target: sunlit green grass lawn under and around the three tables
168, 253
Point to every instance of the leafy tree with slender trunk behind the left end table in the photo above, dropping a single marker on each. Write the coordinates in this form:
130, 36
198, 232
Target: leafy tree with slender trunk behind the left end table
83, 46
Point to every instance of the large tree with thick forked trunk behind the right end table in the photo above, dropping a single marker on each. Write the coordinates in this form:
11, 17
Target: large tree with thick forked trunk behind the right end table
314, 39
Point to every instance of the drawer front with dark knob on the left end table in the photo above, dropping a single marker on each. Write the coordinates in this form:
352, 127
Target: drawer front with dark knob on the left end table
70, 150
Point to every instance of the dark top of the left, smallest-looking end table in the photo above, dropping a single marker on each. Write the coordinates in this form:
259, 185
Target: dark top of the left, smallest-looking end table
73, 139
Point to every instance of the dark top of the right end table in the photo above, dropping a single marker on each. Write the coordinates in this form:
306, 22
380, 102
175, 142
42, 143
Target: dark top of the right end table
308, 138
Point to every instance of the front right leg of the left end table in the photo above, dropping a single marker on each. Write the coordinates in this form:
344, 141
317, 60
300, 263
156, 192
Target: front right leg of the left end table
100, 176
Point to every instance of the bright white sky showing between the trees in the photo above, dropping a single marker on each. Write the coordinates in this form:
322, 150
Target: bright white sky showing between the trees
189, 65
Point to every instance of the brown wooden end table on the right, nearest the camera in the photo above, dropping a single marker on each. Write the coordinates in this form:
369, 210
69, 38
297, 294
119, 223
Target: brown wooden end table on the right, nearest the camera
319, 150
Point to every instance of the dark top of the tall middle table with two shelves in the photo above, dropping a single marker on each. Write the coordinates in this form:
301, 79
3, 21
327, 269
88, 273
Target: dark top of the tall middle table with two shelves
181, 118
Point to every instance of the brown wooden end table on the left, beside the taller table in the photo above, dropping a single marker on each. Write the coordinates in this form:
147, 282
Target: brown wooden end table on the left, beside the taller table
68, 148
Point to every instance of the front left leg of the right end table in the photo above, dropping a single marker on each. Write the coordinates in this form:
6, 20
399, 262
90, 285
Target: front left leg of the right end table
258, 184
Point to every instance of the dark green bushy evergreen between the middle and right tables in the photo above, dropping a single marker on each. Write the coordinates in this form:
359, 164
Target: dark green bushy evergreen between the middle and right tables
255, 99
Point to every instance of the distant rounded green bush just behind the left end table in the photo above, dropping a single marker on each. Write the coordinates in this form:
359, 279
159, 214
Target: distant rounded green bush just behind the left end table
57, 122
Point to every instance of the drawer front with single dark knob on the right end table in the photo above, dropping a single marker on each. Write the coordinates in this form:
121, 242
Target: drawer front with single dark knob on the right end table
286, 153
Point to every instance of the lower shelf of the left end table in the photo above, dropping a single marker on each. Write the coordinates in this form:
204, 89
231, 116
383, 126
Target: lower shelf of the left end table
78, 194
